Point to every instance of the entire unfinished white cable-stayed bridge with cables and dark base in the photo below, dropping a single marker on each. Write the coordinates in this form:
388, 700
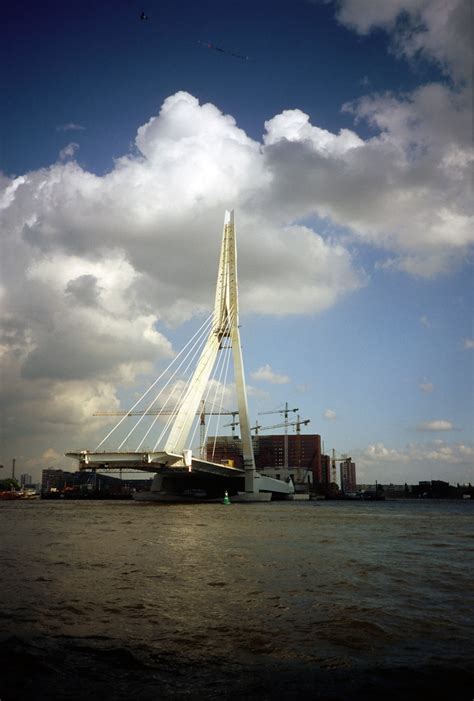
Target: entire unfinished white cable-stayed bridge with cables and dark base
180, 474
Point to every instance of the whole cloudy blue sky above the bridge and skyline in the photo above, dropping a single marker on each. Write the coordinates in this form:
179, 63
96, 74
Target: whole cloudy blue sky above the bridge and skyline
341, 135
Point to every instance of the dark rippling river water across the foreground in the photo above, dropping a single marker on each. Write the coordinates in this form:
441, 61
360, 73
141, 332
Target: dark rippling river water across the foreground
313, 600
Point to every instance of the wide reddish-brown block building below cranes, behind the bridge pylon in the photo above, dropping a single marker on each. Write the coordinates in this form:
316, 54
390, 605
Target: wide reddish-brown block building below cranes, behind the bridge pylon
301, 452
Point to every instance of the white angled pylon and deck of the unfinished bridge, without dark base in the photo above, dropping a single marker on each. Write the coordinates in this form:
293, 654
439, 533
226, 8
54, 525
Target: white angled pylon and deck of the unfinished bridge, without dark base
176, 452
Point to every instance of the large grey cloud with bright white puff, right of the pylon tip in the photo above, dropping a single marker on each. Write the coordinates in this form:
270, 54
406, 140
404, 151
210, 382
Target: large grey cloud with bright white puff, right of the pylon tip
405, 190
